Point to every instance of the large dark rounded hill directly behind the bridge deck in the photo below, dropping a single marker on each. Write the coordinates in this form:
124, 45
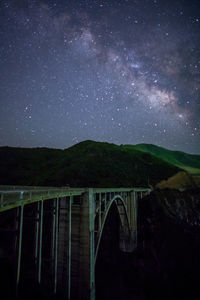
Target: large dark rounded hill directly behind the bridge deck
85, 164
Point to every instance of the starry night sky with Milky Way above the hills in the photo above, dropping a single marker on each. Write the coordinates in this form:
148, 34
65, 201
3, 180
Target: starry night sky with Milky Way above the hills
124, 72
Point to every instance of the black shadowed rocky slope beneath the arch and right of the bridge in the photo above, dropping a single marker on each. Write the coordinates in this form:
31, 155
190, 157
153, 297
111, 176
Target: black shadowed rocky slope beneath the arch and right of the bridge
166, 264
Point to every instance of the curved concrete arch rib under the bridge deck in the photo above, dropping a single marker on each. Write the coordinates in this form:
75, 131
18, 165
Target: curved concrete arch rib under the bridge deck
123, 216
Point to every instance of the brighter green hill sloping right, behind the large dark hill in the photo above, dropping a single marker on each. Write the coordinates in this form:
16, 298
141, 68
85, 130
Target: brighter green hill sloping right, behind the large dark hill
187, 162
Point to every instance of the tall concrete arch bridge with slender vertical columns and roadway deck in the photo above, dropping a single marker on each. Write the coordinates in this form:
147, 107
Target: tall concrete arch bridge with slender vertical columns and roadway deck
55, 233
